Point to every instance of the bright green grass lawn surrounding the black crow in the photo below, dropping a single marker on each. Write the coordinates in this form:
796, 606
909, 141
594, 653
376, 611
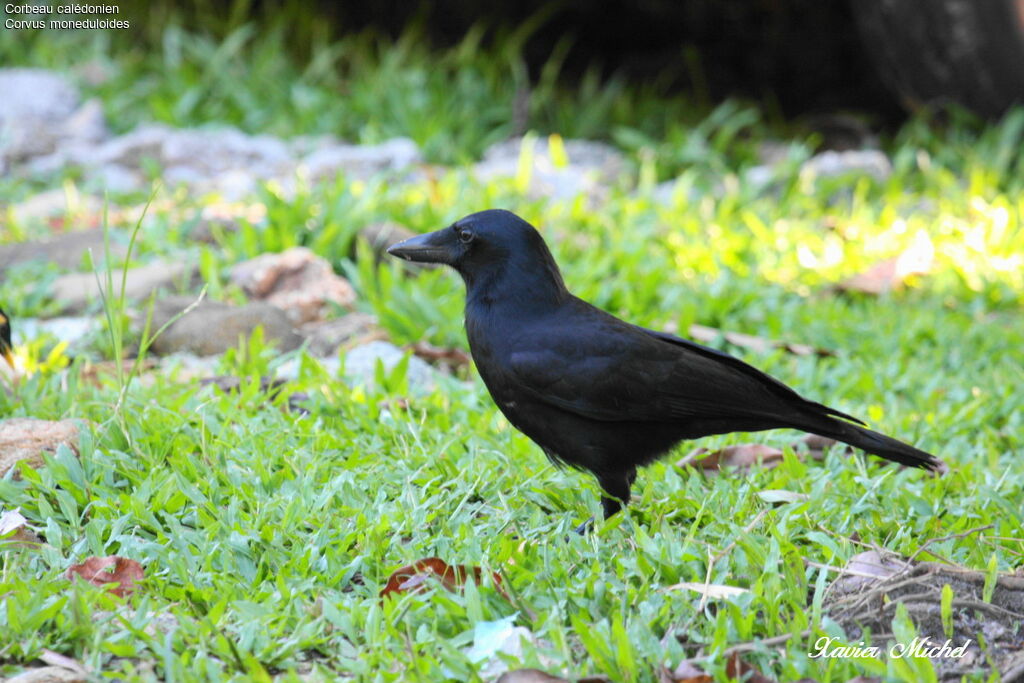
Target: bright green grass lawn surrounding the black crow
267, 536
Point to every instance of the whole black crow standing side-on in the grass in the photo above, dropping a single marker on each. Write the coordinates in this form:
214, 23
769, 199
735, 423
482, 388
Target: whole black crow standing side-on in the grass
596, 393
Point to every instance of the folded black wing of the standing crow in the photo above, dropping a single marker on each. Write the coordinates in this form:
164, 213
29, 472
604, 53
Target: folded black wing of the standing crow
602, 368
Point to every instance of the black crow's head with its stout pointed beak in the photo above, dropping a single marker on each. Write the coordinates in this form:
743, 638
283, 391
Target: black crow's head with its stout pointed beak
490, 247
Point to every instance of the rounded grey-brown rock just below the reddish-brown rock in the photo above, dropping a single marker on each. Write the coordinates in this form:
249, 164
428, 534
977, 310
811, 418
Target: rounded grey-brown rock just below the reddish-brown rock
214, 327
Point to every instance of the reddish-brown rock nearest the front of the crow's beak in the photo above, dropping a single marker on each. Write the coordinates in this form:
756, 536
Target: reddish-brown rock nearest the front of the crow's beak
296, 281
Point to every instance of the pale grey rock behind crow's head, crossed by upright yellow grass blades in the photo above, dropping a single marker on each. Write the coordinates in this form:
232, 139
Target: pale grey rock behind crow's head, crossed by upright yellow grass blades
591, 168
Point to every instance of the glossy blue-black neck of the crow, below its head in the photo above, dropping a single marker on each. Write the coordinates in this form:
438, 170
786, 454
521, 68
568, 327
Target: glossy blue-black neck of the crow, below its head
535, 285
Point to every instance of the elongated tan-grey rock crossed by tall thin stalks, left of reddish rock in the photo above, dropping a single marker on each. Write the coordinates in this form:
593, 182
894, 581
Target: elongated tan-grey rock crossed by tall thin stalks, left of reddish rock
75, 291
